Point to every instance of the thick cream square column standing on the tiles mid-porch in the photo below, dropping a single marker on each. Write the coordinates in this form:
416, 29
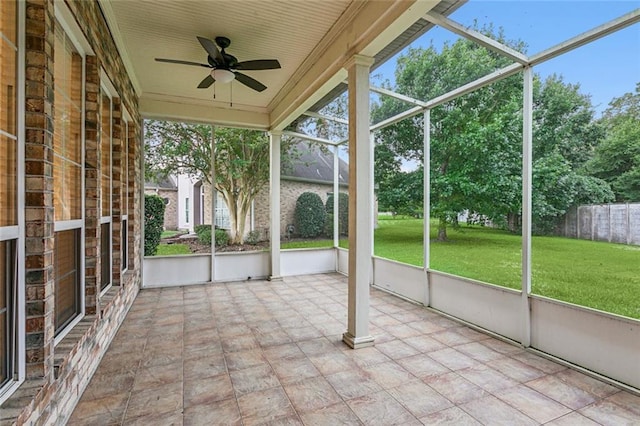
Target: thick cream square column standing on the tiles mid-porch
360, 184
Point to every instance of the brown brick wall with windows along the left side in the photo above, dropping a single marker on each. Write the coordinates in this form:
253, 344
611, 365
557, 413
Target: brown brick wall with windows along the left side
57, 376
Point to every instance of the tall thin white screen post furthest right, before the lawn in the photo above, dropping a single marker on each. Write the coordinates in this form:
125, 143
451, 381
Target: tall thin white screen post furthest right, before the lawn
527, 159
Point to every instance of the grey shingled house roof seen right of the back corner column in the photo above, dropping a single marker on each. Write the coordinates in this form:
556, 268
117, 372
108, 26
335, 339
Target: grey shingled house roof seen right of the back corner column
315, 164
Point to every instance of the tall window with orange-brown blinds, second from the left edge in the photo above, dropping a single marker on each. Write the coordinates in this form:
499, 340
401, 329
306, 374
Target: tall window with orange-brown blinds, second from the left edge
67, 179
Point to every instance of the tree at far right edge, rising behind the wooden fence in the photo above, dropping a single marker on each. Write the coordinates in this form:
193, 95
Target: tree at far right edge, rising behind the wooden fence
617, 158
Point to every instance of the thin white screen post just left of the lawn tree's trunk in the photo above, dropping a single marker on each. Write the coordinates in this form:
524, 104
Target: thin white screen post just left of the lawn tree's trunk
426, 203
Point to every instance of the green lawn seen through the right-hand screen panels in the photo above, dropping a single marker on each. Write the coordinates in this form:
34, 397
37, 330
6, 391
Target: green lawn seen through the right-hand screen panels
595, 274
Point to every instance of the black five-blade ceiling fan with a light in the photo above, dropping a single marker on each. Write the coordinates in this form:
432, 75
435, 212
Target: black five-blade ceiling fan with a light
225, 67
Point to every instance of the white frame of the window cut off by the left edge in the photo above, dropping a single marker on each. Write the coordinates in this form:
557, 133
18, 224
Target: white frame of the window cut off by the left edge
18, 232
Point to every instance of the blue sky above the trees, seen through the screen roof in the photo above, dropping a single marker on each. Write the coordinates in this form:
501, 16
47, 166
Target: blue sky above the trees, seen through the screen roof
606, 68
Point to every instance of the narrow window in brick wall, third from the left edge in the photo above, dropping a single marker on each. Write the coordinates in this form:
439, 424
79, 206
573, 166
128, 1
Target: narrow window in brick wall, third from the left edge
105, 179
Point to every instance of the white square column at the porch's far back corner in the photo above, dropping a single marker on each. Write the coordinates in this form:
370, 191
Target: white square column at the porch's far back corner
274, 191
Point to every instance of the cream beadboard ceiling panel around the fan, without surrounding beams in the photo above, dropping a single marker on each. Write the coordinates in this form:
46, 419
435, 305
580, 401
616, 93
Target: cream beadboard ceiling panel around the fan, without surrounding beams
284, 30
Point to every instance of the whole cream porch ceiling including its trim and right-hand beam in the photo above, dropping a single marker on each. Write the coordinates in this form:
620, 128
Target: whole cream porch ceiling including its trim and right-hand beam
312, 40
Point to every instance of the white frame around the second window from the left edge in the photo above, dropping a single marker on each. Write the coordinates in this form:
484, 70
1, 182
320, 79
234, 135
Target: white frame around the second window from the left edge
71, 28
